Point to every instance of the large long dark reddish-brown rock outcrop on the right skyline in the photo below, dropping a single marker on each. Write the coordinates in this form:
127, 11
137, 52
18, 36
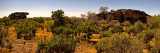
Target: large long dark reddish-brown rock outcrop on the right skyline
124, 15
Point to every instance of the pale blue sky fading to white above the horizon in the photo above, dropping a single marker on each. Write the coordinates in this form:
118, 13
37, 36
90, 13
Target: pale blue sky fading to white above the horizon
43, 8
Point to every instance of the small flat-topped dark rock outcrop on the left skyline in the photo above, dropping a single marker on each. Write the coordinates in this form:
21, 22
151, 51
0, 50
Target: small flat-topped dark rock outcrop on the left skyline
18, 15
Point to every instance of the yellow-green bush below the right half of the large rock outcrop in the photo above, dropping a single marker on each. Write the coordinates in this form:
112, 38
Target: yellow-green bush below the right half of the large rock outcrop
136, 28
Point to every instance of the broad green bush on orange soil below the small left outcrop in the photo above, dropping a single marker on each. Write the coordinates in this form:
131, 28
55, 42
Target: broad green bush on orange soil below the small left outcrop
26, 29
